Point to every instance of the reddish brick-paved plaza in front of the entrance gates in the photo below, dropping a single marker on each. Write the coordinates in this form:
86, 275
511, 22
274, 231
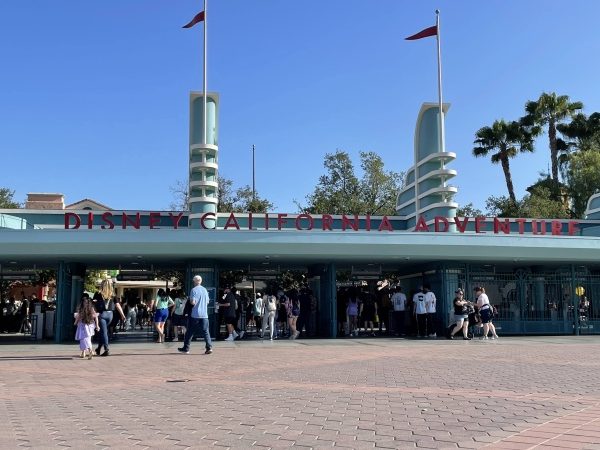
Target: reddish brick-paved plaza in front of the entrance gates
514, 393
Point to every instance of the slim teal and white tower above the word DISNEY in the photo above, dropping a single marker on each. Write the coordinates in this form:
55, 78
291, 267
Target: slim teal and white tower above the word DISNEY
204, 160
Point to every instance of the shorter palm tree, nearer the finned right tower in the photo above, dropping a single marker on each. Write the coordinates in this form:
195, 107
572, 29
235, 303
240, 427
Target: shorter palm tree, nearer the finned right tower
509, 139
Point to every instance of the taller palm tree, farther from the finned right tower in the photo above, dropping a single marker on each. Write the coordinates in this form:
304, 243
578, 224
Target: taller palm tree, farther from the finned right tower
552, 110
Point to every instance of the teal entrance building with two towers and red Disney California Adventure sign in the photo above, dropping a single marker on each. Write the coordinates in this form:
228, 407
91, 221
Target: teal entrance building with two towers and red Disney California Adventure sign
542, 275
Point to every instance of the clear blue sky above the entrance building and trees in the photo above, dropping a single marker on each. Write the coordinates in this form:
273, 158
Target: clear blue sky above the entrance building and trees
94, 95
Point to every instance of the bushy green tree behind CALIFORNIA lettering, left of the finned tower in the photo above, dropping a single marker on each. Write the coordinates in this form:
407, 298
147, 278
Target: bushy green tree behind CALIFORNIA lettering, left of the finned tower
340, 191
